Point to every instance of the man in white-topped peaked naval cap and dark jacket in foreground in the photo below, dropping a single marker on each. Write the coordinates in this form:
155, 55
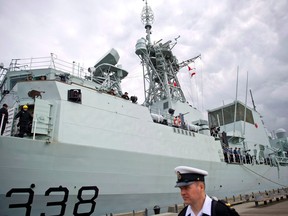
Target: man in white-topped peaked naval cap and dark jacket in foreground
192, 188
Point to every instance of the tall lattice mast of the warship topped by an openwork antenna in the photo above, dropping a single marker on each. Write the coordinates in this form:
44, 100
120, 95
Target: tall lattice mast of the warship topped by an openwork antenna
160, 66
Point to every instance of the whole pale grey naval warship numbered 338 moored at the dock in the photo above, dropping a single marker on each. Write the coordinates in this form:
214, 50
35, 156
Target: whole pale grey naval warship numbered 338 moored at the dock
88, 151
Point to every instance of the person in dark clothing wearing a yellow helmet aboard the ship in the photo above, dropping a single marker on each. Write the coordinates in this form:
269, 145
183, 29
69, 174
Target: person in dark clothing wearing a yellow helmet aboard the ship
24, 119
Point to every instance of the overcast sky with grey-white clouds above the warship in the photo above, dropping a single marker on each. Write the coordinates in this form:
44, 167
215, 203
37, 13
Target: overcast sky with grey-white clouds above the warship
228, 33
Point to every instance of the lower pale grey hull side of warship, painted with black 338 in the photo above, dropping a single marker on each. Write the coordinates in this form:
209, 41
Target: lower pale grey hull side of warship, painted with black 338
126, 180
